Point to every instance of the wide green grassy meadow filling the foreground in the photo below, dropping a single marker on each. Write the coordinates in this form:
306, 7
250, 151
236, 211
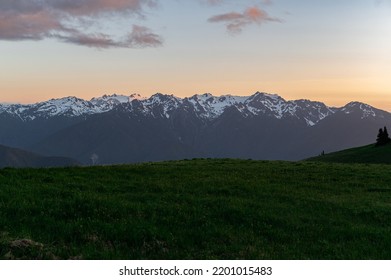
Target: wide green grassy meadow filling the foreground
197, 209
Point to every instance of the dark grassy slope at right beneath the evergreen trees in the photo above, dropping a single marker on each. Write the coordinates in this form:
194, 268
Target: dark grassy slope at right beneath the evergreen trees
364, 154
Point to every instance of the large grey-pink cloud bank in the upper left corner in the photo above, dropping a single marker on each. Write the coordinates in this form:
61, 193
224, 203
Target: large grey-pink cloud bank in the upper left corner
40, 19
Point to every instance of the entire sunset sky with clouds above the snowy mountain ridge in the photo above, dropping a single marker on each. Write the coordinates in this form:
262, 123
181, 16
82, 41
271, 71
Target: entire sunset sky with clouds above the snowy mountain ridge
333, 51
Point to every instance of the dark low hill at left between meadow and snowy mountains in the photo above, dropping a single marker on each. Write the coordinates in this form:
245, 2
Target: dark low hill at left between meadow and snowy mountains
11, 157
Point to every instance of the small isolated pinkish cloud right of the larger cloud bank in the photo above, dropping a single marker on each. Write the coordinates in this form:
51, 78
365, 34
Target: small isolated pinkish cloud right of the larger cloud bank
235, 21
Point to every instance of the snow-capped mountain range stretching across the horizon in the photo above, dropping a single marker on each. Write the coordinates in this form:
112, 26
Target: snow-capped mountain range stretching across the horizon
121, 129
